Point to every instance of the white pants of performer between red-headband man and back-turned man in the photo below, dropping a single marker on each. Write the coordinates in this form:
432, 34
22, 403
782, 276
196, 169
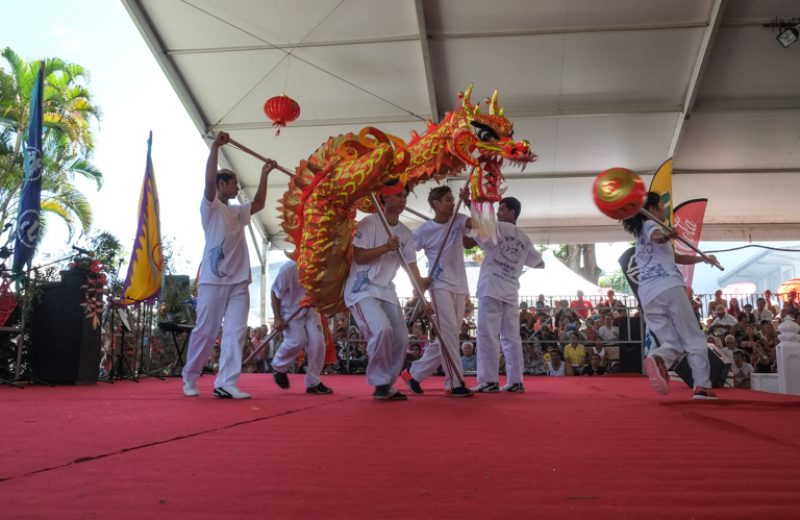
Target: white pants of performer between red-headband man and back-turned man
449, 309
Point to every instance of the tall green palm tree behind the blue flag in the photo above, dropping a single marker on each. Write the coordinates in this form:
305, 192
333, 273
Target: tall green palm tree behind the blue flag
67, 141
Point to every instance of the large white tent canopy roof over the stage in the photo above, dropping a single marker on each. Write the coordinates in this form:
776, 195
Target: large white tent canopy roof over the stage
592, 84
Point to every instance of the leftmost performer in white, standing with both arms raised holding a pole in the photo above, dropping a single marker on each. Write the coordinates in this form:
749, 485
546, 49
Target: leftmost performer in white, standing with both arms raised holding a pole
222, 293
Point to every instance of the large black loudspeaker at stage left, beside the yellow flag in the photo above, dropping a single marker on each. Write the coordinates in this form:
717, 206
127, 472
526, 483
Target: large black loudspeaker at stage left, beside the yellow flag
65, 347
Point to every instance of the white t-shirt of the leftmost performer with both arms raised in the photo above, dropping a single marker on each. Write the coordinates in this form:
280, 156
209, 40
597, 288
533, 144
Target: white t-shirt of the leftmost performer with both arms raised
225, 257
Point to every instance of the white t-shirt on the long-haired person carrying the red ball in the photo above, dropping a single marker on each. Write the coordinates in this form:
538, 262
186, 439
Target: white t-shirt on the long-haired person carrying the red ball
657, 269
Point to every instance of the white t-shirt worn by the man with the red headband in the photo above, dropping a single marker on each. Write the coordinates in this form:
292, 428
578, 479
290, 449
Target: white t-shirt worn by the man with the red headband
375, 279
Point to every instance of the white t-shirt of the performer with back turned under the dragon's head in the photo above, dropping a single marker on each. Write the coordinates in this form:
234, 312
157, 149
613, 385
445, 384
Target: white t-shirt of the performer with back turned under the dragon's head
503, 262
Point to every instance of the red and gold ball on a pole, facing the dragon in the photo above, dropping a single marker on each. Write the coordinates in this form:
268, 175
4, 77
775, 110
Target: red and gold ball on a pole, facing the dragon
618, 193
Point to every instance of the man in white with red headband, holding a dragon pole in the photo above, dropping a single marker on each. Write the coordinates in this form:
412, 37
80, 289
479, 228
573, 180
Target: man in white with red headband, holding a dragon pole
370, 293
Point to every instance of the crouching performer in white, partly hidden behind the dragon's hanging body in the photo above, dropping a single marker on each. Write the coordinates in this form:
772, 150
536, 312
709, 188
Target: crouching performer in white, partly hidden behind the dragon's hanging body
303, 332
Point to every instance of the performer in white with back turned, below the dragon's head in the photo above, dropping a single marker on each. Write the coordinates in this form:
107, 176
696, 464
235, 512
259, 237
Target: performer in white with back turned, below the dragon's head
498, 300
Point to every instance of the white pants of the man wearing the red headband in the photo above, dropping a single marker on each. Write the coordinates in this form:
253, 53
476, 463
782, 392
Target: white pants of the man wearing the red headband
384, 327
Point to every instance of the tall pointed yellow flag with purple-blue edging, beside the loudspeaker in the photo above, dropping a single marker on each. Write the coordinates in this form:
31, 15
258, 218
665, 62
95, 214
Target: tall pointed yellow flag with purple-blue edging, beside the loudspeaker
143, 282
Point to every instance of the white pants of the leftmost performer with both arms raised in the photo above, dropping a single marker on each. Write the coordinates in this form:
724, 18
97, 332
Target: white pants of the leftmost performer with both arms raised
216, 303
